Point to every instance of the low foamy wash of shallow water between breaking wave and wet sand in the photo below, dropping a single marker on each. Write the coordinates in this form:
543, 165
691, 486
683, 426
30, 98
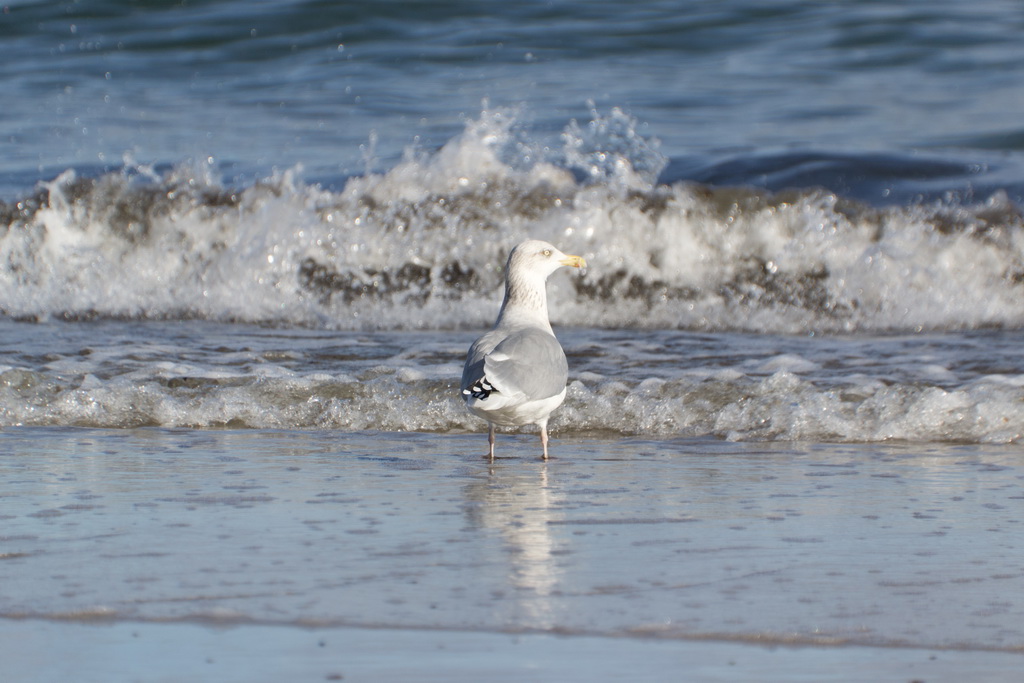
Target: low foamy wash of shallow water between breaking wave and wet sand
638, 385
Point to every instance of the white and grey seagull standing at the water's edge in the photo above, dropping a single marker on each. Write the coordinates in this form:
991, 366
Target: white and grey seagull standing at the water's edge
516, 375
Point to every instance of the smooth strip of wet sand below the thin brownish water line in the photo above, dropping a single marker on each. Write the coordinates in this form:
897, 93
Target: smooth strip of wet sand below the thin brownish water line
96, 652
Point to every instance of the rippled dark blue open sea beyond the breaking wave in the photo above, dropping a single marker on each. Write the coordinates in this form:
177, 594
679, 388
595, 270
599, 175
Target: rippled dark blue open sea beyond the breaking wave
737, 92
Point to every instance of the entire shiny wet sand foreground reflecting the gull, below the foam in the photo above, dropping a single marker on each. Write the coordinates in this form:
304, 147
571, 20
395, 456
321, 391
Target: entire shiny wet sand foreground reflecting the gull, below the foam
389, 557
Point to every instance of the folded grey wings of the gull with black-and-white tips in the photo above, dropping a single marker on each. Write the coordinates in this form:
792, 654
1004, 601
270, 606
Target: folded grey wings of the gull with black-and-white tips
529, 362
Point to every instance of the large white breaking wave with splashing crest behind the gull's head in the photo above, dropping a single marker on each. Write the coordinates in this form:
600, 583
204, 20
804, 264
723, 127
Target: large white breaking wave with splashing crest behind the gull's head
422, 246
